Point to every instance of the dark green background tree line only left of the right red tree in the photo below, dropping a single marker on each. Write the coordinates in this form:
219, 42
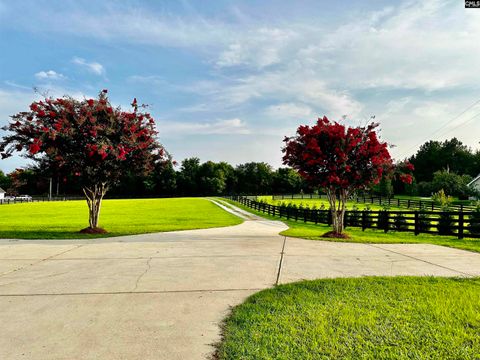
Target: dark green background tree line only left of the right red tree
190, 178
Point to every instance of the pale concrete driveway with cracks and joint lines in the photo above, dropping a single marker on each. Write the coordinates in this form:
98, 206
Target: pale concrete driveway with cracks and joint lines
162, 296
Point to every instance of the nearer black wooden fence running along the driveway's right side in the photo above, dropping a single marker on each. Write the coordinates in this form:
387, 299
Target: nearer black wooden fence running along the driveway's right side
454, 223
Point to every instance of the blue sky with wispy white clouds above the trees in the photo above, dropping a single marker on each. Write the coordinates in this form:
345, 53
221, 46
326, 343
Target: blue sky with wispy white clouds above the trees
227, 80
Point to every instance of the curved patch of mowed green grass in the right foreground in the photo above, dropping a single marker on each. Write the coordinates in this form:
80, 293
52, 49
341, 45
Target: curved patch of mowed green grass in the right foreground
361, 318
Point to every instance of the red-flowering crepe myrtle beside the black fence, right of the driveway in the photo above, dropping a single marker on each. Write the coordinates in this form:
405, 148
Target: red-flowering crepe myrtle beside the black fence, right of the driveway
340, 160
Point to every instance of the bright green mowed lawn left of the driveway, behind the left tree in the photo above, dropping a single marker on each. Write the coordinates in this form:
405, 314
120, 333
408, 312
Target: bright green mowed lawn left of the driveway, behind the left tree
63, 220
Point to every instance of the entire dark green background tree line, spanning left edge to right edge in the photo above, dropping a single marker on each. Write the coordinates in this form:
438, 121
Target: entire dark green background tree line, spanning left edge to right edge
449, 165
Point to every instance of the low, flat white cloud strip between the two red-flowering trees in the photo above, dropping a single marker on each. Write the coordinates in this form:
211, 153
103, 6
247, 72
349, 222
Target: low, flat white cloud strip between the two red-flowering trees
219, 127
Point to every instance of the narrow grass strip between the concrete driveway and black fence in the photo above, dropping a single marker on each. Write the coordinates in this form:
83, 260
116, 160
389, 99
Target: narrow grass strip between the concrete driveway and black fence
314, 232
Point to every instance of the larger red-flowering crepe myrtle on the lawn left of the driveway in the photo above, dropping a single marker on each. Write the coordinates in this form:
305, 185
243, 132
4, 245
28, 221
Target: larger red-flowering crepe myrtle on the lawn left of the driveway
88, 139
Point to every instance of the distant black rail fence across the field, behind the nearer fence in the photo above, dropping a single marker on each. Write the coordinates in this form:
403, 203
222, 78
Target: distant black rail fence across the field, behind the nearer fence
383, 201
